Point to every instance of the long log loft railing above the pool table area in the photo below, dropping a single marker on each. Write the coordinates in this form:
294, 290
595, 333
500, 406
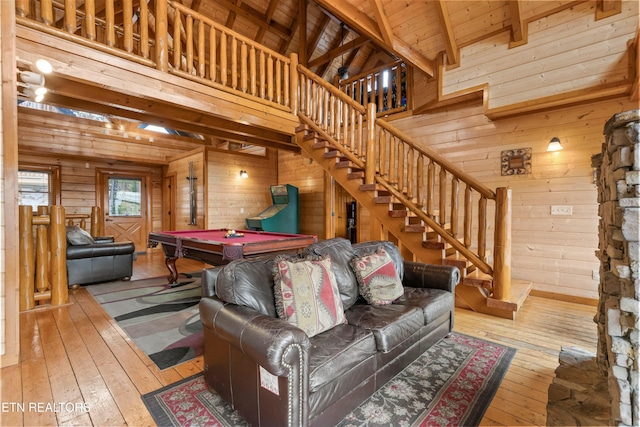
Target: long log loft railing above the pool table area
186, 44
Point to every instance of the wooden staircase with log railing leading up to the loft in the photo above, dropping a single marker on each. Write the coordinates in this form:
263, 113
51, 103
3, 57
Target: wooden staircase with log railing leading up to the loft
400, 187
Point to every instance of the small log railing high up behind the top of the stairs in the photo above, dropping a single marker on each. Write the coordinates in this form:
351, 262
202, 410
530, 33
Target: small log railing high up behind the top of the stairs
384, 86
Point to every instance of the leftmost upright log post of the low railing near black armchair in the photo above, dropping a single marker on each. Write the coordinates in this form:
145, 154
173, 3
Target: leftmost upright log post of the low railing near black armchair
27, 258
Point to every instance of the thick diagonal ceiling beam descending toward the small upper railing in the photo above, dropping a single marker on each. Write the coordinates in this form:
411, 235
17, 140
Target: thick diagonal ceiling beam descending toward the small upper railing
366, 26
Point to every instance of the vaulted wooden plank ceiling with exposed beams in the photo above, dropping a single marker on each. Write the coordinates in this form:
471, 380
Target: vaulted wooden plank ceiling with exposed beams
362, 34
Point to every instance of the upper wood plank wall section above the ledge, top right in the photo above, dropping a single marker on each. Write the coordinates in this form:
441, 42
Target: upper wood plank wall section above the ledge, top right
566, 61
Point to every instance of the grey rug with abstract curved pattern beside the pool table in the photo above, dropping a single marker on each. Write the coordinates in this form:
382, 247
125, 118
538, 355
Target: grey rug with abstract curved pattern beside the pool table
161, 318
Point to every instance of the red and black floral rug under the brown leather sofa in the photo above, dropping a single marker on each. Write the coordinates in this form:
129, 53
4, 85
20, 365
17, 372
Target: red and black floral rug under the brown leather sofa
452, 383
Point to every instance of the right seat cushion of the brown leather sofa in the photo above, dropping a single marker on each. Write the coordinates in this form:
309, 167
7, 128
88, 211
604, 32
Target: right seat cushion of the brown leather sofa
390, 324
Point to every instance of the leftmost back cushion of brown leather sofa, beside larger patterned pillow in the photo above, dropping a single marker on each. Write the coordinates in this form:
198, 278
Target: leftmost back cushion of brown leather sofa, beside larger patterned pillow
248, 282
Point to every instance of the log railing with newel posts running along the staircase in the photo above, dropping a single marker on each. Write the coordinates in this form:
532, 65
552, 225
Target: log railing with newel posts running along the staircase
415, 176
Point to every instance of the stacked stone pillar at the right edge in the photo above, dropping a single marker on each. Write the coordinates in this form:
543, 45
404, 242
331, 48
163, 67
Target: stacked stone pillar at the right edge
617, 171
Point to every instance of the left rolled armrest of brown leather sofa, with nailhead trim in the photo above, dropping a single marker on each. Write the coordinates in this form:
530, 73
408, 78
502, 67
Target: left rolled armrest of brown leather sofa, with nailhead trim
272, 343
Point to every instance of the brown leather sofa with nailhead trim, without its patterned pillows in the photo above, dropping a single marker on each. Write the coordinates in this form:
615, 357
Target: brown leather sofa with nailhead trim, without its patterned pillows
273, 374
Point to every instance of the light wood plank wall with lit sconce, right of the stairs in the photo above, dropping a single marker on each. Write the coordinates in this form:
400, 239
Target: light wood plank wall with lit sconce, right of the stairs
555, 252
